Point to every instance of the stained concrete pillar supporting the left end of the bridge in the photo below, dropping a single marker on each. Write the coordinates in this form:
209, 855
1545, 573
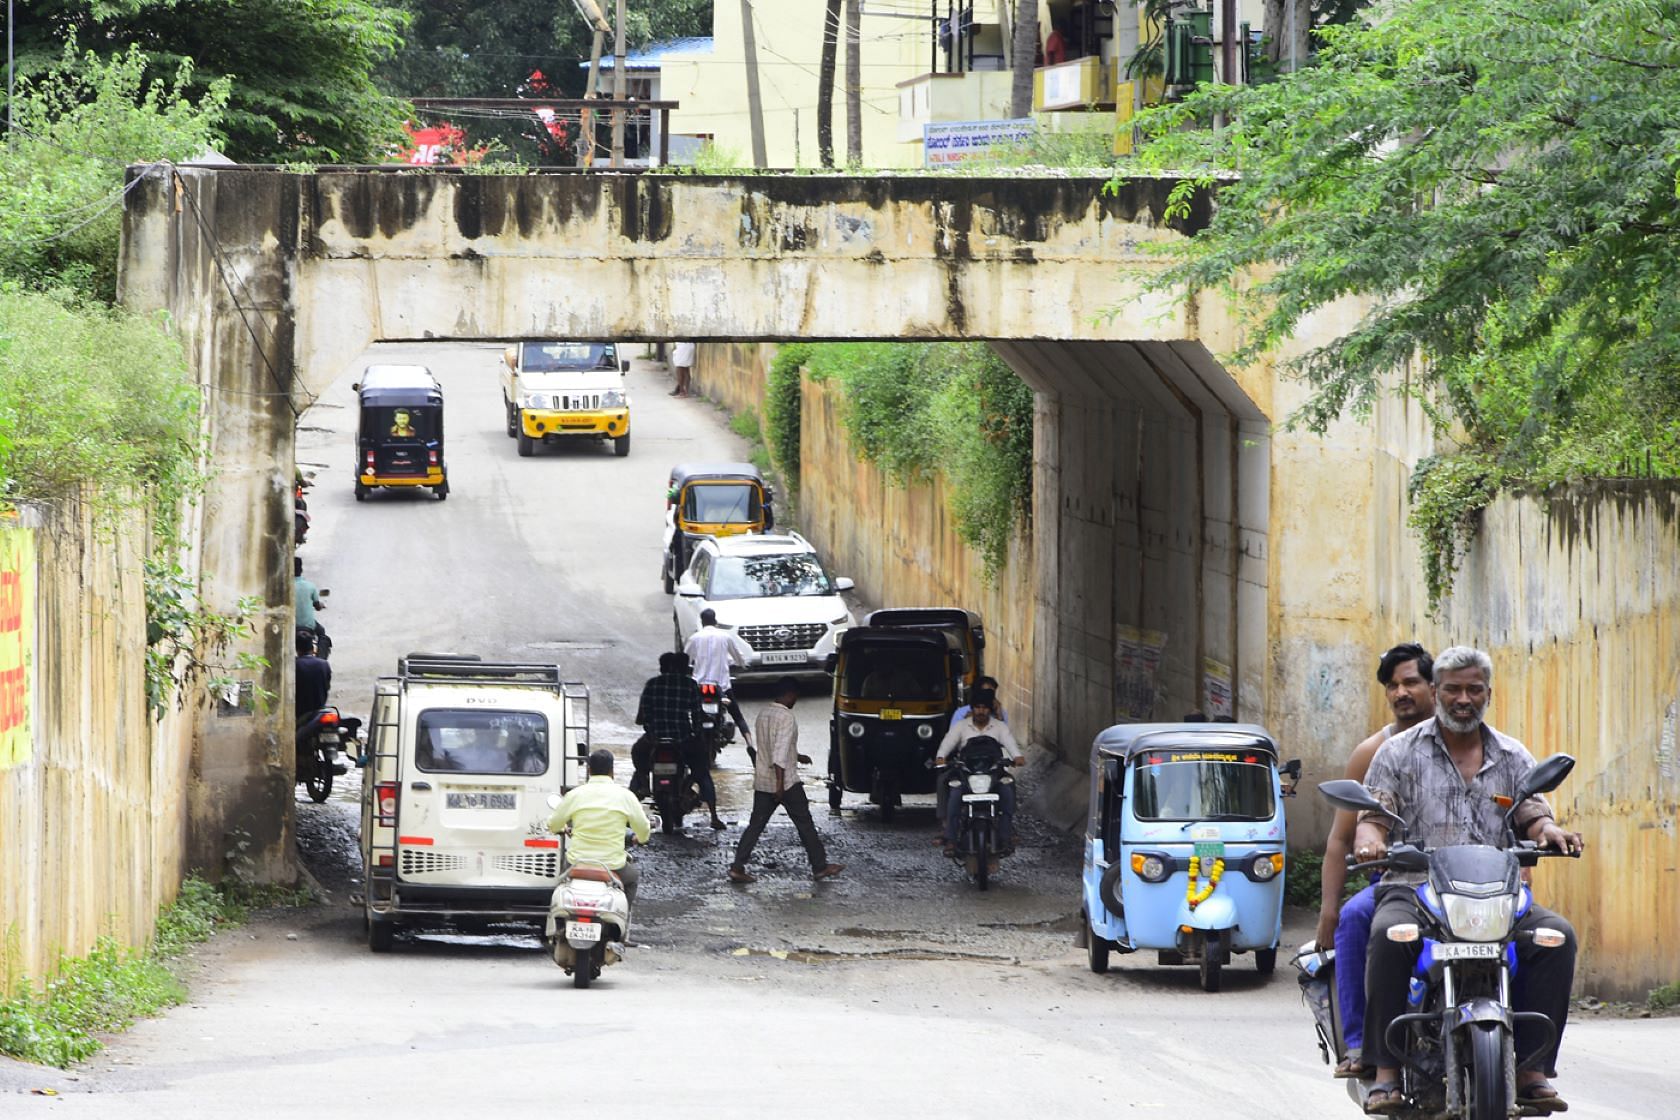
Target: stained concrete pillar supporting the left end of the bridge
214, 254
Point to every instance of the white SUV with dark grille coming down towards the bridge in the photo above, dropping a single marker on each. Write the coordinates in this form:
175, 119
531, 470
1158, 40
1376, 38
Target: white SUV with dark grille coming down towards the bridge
774, 592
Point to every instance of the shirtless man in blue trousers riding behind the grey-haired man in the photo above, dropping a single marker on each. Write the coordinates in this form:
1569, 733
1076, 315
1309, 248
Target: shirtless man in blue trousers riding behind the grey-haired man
1405, 674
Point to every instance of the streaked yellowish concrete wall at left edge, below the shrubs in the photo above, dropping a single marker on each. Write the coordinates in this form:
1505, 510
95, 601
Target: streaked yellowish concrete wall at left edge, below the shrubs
93, 824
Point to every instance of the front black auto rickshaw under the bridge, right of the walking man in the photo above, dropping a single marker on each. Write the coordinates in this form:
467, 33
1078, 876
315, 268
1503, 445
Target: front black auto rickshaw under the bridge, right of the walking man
896, 689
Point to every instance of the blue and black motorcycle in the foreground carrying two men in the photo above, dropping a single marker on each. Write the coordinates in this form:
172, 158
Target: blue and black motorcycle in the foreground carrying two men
1457, 1040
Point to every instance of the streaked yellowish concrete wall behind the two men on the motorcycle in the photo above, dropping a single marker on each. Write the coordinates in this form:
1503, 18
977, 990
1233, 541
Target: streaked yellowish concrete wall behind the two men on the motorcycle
1577, 597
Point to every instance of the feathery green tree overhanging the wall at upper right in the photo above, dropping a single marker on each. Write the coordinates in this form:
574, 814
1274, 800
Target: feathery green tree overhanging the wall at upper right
1499, 184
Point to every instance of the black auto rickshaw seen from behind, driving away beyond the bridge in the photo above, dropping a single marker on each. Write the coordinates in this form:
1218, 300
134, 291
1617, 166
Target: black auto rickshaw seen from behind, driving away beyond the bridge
401, 431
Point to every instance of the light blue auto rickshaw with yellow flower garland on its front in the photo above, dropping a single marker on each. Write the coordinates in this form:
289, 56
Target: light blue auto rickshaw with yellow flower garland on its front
1185, 845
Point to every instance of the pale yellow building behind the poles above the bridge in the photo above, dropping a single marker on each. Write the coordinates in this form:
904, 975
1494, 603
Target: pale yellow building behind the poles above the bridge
921, 63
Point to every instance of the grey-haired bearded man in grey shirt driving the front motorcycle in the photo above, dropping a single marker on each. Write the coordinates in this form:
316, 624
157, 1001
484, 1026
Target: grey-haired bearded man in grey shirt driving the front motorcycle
1452, 778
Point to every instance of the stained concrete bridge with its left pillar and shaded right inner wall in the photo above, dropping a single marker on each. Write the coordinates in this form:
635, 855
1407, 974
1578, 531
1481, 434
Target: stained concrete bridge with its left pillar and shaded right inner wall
1155, 464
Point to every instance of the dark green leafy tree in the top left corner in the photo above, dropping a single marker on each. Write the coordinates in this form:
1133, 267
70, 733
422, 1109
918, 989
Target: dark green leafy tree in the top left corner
303, 71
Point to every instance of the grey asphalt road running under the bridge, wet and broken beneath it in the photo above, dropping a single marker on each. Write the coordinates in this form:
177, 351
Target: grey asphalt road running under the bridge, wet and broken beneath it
896, 990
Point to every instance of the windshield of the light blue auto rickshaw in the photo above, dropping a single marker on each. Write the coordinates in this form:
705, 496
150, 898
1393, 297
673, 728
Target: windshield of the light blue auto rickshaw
1199, 785
